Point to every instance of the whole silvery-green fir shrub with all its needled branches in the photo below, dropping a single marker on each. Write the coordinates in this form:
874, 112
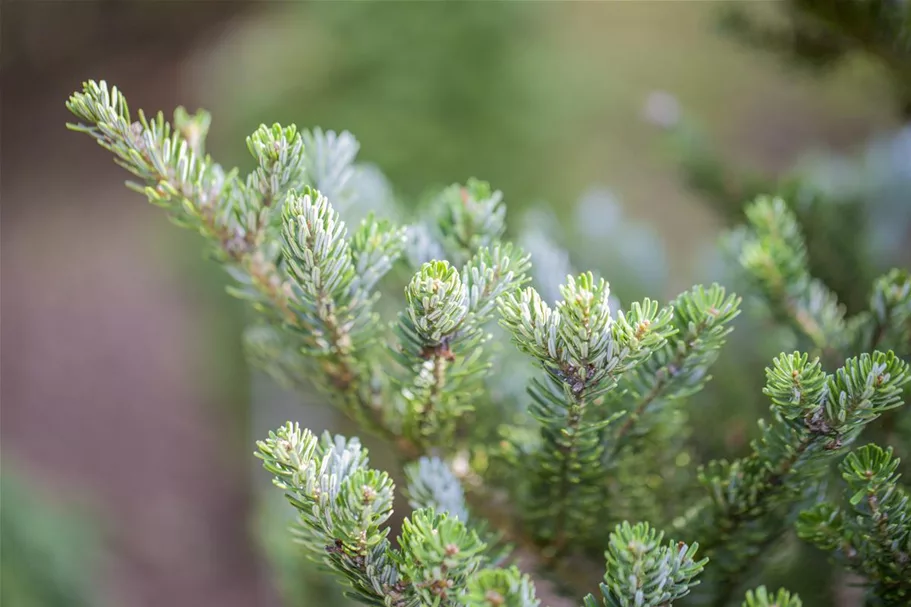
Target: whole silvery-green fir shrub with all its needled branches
515, 488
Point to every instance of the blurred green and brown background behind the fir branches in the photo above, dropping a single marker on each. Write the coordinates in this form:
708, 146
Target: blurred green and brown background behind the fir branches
125, 395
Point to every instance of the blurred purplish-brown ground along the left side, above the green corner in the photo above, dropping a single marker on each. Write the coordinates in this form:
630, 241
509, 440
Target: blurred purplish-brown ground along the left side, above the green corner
110, 393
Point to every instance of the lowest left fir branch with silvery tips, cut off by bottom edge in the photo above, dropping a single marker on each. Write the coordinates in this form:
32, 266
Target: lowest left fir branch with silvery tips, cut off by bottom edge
343, 506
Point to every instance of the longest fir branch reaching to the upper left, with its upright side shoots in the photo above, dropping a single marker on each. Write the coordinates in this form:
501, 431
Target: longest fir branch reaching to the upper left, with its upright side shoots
240, 219
